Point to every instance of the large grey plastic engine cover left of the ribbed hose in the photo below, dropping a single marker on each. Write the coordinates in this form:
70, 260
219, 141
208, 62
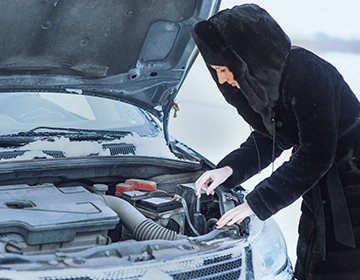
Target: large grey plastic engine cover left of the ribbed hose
42, 219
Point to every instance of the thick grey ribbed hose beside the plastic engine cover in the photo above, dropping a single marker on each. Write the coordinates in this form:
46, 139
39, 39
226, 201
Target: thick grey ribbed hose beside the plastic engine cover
140, 227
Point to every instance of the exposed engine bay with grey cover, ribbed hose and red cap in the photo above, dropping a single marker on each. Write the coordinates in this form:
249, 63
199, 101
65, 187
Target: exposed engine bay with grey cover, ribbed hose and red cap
47, 219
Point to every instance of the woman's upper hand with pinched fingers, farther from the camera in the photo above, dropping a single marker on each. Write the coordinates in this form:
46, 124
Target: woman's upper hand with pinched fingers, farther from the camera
213, 177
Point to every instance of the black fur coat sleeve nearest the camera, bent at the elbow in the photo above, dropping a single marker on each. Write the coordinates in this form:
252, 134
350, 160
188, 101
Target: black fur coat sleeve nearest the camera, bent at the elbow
315, 105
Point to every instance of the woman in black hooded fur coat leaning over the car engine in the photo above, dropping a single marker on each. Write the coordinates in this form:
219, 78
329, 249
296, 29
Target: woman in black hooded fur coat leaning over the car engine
292, 99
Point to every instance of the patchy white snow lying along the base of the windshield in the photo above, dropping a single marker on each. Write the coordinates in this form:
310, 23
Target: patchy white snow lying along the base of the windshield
144, 146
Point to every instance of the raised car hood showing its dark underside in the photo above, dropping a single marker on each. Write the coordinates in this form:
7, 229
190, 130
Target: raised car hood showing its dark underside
137, 51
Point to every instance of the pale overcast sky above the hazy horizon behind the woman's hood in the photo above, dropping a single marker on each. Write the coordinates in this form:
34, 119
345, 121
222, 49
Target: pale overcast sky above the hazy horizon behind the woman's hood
303, 17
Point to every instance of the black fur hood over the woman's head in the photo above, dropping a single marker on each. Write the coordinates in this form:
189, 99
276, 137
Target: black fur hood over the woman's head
252, 45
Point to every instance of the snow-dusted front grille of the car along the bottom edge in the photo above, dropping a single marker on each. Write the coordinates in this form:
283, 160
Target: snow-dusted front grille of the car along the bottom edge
227, 263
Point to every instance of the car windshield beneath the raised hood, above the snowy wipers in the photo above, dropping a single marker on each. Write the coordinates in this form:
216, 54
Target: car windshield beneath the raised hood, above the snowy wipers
21, 112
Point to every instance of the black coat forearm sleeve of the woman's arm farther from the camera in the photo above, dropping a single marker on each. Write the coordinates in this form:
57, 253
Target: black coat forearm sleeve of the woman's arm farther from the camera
255, 154
